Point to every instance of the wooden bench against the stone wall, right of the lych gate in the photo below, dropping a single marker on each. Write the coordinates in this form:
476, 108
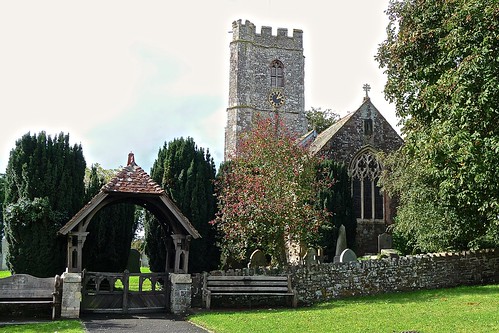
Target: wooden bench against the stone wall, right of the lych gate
248, 286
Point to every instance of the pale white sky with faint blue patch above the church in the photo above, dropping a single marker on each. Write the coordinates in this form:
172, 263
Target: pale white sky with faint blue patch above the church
123, 76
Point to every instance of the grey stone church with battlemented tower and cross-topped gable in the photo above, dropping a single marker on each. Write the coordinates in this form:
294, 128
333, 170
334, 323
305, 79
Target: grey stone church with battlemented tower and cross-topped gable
267, 76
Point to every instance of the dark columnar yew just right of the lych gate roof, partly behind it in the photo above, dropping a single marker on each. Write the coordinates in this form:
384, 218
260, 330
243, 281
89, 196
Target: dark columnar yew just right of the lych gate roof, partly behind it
186, 172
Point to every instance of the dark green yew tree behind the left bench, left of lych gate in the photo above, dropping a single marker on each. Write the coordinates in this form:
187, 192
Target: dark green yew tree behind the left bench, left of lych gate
44, 189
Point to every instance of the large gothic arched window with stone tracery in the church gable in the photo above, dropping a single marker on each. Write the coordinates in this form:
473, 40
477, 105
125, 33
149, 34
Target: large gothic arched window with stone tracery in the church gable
367, 197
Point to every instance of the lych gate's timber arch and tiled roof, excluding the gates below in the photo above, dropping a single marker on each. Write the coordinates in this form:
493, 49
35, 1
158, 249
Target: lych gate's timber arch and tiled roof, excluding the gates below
133, 185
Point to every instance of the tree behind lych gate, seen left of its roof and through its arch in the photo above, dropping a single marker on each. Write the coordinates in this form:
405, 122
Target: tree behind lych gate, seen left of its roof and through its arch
111, 230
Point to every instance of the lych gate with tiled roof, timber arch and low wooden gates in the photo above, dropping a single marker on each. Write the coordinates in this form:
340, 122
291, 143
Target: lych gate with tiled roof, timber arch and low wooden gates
131, 185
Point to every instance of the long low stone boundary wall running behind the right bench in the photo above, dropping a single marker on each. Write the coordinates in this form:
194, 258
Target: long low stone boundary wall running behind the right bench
322, 282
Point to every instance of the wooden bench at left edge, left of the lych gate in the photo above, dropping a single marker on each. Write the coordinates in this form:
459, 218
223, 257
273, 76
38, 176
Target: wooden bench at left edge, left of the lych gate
27, 289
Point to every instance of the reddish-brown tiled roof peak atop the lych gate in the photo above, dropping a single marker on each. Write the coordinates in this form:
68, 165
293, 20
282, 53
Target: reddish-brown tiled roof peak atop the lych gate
132, 179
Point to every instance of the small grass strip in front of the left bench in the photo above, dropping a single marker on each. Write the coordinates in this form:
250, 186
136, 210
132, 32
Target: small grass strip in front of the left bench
59, 326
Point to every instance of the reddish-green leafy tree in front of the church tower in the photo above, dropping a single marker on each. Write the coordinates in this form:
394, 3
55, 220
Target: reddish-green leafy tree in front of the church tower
267, 195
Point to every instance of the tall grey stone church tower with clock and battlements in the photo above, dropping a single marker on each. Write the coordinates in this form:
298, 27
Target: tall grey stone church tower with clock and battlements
266, 77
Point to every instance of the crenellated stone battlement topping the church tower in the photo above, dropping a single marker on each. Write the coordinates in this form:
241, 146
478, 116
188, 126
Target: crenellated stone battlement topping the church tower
247, 32
